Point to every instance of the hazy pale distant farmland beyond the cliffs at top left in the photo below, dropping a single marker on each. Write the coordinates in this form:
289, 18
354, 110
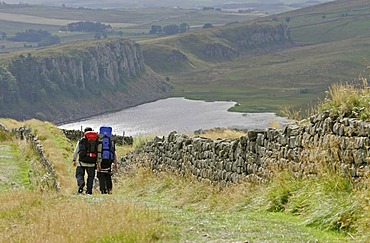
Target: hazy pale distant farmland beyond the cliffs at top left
133, 23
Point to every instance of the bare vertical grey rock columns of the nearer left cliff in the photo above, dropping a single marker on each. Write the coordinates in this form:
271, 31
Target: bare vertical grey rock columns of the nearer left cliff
107, 62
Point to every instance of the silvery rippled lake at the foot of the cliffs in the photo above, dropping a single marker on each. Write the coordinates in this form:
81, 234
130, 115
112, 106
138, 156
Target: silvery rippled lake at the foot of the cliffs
177, 114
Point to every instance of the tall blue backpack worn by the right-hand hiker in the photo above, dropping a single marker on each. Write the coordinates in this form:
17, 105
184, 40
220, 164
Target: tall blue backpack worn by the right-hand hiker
108, 148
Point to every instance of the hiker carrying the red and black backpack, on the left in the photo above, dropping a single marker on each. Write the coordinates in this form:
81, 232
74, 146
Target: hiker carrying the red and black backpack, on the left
86, 149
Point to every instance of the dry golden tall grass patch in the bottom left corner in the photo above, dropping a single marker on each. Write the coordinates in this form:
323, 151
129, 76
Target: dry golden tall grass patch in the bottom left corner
34, 217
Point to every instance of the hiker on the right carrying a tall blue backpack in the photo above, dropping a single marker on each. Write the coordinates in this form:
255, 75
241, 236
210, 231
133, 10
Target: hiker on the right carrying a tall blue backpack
106, 157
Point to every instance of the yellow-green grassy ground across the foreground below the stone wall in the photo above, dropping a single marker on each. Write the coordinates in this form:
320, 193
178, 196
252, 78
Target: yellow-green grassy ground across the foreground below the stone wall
163, 207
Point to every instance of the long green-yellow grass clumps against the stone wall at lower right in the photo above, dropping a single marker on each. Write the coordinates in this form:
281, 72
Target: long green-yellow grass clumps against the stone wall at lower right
328, 200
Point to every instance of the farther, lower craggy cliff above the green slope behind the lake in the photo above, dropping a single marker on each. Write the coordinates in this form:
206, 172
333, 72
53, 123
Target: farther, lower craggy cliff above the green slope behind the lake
217, 44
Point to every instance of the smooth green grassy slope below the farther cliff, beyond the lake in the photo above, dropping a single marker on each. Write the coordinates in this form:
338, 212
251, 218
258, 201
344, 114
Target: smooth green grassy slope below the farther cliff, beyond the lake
289, 78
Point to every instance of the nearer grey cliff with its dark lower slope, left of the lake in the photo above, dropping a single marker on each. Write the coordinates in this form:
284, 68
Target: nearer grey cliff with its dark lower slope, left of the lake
76, 82
